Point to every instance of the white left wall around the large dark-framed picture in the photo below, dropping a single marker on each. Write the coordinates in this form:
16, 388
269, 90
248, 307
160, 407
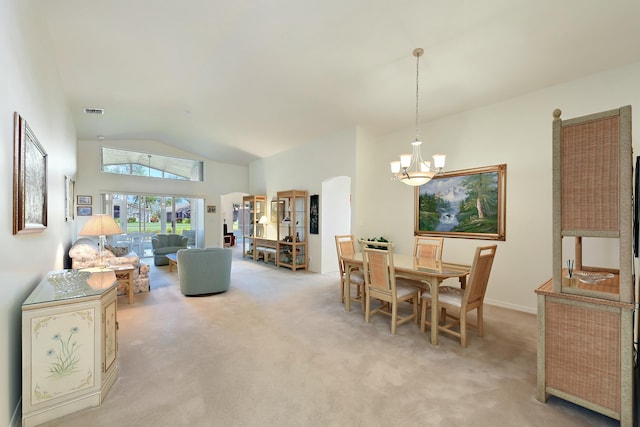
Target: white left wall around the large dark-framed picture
30, 86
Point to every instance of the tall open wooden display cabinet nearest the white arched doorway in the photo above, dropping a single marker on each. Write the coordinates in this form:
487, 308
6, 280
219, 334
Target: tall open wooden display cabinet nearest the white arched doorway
292, 229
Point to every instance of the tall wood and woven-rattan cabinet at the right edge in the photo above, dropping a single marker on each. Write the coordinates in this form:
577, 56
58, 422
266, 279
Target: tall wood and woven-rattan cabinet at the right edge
585, 318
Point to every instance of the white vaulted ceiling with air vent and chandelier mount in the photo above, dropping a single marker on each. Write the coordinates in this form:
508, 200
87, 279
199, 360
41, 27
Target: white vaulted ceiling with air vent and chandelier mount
238, 80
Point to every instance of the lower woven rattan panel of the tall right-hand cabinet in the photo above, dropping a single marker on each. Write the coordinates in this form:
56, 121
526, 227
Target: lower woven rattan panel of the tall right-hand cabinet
581, 357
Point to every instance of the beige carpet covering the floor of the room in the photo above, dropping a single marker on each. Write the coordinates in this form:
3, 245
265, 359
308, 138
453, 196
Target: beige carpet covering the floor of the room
278, 349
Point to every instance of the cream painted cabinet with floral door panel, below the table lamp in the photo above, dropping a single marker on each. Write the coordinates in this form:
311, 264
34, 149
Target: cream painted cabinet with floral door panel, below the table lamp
69, 348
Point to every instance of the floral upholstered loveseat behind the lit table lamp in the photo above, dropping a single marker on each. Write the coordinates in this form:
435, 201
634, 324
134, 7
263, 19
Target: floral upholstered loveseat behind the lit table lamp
84, 254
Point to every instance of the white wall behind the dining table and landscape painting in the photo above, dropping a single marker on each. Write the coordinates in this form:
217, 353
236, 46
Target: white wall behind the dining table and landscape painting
516, 132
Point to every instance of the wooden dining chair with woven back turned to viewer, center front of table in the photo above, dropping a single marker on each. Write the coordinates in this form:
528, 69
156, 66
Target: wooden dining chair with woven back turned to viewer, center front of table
381, 284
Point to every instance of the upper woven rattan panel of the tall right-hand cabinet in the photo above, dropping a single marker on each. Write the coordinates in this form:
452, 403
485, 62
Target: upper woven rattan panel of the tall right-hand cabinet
590, 175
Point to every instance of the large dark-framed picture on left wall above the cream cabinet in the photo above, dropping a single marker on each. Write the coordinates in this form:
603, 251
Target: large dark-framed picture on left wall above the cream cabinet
29, 180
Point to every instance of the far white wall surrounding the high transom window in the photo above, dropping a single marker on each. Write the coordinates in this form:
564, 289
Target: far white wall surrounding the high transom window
220, 178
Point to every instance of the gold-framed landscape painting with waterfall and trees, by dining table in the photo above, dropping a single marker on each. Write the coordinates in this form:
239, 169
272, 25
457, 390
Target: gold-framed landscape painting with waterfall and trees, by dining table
468, 203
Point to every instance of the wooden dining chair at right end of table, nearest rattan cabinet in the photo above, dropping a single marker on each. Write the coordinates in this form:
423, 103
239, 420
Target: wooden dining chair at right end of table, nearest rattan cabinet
462, 301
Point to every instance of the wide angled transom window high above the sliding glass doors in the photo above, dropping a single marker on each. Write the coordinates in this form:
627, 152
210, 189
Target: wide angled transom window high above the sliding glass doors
143, 164
